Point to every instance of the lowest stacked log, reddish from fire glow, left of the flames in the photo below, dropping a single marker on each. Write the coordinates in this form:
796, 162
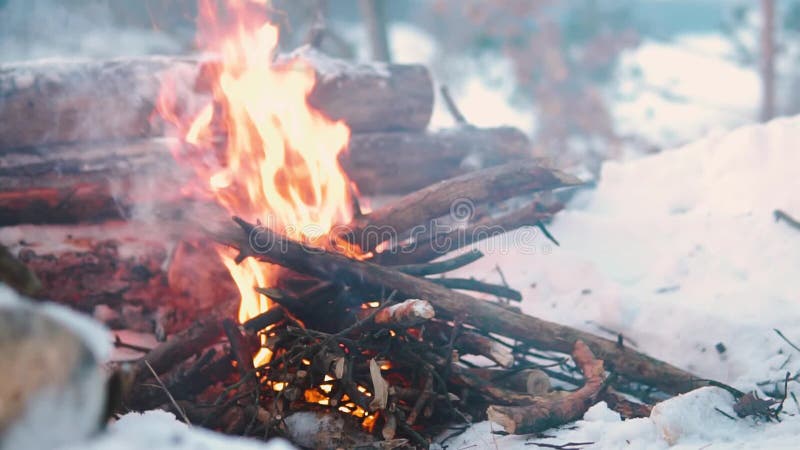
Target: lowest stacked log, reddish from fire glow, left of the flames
126, 273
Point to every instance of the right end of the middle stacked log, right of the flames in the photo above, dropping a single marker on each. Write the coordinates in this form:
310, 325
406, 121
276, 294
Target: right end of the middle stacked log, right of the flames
398, 163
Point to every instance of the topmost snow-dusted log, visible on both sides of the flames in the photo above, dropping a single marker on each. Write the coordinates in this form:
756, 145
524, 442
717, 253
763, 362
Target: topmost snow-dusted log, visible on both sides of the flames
50, 101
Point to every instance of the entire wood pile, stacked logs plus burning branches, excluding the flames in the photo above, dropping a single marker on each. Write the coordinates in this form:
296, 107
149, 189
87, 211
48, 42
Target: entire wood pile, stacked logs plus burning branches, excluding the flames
383, 349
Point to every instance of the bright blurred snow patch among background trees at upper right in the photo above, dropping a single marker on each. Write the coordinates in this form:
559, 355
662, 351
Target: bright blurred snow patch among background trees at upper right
674, 92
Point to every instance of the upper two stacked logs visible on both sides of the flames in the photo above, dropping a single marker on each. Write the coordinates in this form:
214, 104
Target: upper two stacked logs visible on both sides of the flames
80, 140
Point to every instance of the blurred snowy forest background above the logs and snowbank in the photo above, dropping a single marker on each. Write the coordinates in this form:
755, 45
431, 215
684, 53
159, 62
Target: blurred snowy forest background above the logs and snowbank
590, 80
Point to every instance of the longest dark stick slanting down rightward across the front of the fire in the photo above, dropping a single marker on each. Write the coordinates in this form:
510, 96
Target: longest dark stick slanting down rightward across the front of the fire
268, 246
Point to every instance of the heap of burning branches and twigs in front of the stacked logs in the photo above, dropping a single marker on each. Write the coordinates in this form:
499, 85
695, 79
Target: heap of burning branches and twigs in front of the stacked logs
388, 348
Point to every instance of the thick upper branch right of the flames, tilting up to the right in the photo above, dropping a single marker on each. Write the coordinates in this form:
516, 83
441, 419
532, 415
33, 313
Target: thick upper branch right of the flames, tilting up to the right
457, 196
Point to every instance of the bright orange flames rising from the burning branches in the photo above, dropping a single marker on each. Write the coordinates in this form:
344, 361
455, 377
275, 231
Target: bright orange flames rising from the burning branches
261, 150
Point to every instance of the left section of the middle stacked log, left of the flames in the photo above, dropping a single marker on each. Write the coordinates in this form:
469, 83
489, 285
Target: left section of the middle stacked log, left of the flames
87, 182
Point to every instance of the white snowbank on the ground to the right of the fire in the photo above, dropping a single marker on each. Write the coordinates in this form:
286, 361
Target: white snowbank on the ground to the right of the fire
678, 252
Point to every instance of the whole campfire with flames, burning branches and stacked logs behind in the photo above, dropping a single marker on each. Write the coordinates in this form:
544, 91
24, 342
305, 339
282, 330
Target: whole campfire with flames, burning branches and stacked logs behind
345, 316
